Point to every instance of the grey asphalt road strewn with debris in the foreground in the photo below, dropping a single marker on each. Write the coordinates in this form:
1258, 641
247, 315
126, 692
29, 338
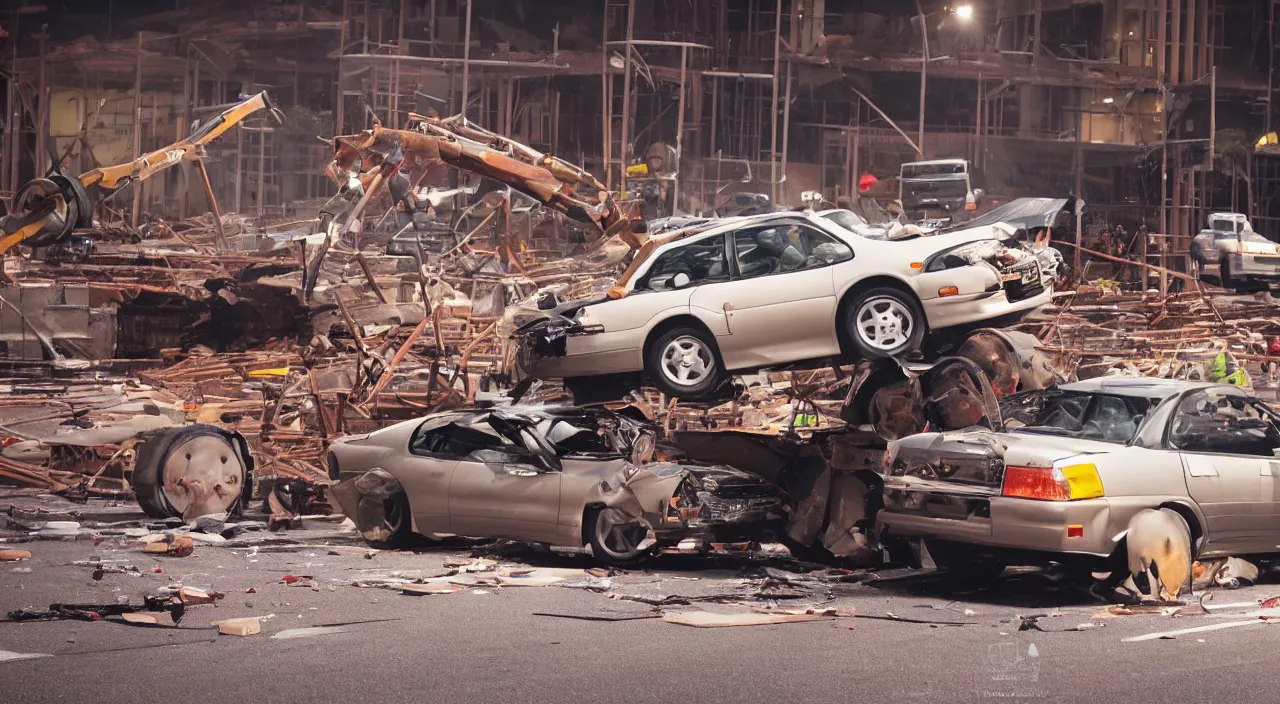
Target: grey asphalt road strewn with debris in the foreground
486, 644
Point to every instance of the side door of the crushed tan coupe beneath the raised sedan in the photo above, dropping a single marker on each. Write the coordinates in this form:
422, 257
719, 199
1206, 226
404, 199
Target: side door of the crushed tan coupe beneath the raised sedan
510, 492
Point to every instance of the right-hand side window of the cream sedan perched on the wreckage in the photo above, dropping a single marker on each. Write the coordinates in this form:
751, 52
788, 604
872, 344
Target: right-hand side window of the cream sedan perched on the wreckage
784, 249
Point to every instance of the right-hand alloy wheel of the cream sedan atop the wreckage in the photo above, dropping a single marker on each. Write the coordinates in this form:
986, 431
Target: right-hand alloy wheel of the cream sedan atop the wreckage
884, 323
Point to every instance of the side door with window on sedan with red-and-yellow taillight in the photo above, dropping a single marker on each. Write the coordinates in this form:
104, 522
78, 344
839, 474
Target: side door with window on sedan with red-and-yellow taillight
1228, 450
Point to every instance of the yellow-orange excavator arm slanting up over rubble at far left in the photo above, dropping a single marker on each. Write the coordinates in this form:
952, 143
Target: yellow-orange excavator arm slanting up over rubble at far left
45, 211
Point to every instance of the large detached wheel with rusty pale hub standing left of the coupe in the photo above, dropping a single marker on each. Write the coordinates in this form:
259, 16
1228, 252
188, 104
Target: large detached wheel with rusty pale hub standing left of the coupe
179, 465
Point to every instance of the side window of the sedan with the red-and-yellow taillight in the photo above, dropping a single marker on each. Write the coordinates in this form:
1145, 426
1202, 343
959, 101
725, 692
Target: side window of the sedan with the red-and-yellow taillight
1214, 422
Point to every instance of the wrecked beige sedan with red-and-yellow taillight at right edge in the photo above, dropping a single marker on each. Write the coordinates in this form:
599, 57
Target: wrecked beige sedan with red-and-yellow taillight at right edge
1069, 472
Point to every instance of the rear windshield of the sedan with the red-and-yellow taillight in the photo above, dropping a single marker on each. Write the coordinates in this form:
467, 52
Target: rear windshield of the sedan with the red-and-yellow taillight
1091, 417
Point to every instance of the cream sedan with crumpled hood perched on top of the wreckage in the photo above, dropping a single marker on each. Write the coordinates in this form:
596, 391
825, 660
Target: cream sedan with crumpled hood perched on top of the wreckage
744, 294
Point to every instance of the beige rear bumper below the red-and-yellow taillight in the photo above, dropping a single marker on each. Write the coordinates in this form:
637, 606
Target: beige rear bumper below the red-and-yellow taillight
1016, 525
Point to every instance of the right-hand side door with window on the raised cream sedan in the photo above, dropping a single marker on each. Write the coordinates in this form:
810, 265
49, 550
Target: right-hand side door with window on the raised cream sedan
781, 304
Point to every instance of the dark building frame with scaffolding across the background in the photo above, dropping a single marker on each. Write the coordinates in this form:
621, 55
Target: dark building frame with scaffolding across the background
1149, 109
